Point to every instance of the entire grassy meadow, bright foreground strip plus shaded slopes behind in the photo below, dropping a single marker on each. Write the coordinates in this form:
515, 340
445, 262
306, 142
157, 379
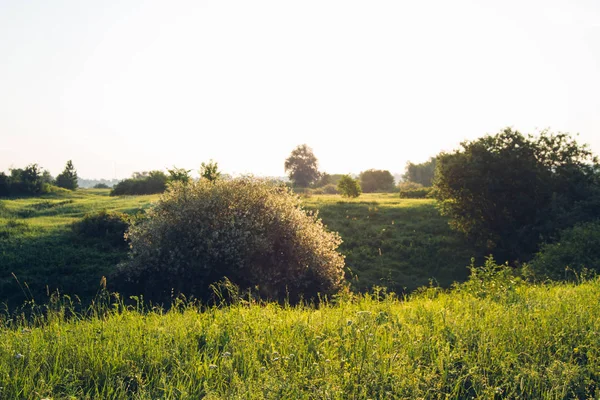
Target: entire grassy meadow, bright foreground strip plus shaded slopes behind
492, 336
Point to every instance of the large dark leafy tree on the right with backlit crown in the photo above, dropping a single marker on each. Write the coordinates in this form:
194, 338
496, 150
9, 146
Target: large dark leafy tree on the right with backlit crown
509, 192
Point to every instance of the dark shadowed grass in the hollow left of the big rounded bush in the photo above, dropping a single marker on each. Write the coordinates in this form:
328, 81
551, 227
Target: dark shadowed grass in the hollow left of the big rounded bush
46, 261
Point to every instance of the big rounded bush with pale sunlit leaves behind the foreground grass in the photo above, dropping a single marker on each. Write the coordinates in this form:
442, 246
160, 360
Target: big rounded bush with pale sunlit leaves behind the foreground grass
250, 231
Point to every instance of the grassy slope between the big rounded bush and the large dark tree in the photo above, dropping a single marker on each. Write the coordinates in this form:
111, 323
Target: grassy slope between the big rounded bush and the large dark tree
401, 244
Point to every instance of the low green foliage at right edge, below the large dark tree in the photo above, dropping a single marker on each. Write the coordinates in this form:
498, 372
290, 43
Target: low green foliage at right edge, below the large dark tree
577, 250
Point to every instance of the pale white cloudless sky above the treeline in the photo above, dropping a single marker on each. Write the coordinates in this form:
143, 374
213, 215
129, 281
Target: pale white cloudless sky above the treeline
121, 86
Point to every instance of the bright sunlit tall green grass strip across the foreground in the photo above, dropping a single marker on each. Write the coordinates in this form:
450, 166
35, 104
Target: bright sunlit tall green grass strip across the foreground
528, 342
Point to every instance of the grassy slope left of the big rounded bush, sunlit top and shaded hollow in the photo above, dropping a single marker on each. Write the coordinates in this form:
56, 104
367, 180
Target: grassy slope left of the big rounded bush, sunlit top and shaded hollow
38, 246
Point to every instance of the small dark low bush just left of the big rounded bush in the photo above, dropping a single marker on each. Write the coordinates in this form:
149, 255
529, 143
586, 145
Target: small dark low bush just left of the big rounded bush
110, 226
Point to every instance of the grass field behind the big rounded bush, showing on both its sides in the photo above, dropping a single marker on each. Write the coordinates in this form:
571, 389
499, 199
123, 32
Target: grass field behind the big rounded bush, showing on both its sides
388, 241
